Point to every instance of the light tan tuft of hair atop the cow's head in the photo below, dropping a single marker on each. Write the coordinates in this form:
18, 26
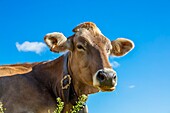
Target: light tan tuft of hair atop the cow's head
89, 26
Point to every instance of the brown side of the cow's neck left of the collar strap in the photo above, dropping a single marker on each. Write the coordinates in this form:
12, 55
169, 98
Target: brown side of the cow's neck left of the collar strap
49, 74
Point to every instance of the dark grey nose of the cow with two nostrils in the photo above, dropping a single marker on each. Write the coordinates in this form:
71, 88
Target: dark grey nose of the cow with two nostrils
107, 79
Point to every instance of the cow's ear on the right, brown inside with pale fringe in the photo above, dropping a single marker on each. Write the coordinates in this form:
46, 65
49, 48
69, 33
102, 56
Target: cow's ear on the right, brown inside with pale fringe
121, 46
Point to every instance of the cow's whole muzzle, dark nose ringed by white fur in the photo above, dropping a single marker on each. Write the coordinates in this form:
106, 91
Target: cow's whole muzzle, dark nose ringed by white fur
105, 79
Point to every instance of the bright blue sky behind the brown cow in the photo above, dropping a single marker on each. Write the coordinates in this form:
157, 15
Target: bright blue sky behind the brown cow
143, 74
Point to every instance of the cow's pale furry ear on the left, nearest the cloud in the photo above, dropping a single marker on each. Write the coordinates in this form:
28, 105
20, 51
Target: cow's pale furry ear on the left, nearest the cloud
57, 42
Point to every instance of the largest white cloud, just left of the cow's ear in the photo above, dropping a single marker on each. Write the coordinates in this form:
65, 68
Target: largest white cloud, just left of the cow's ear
27, 46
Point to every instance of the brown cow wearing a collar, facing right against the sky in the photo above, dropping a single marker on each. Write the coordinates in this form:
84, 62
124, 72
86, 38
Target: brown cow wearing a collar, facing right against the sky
83, 69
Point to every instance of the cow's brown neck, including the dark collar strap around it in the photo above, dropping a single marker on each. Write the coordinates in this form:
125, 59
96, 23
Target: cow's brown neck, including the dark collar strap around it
51, 75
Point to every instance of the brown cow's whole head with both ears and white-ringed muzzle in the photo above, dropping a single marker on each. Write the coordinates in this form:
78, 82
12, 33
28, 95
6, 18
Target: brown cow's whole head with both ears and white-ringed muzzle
90, 51
